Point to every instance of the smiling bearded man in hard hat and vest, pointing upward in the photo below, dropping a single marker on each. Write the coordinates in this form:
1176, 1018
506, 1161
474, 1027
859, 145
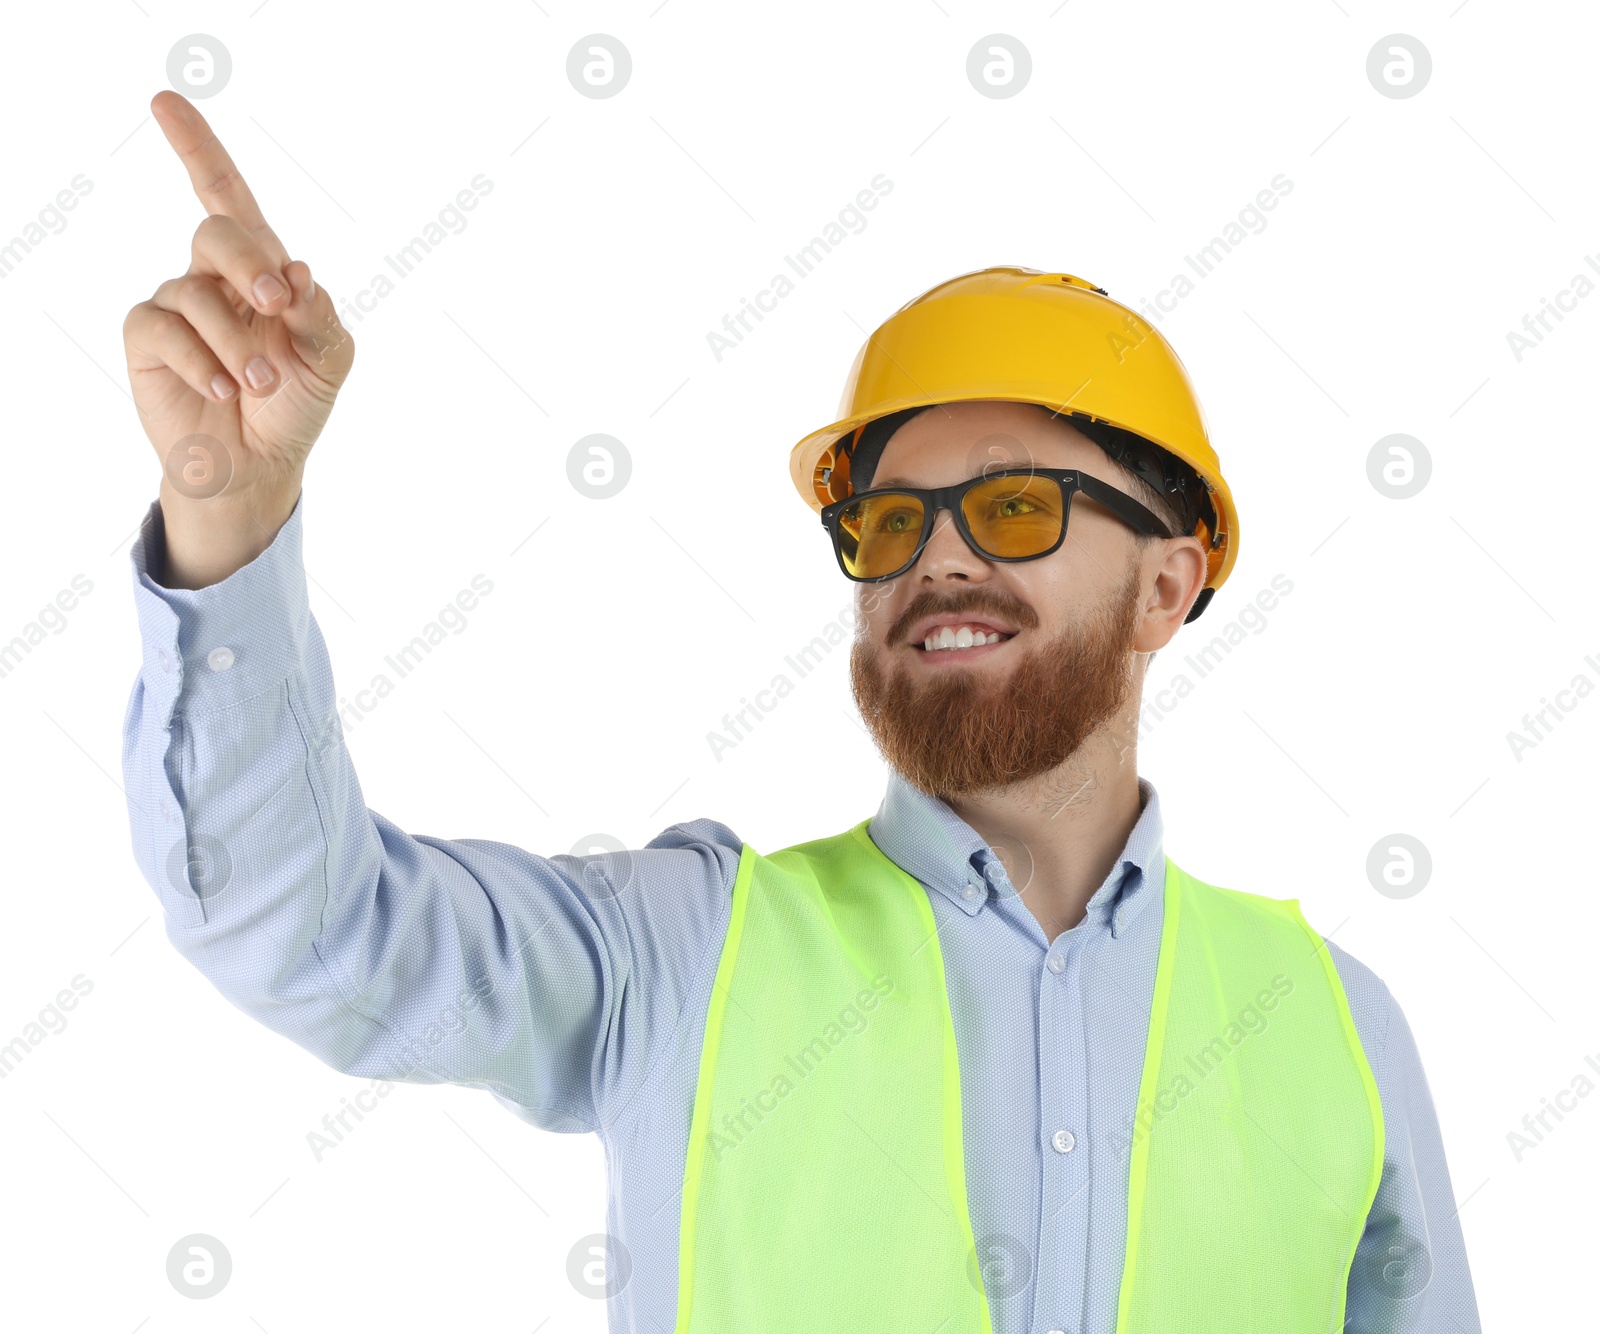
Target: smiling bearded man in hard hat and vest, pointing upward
988, 1061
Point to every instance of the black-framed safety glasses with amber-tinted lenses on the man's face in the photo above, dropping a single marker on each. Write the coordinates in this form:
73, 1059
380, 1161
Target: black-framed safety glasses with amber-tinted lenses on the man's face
1020, 514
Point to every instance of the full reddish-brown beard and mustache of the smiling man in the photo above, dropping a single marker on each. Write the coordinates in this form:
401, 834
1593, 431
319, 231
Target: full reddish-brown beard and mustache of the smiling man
958, 733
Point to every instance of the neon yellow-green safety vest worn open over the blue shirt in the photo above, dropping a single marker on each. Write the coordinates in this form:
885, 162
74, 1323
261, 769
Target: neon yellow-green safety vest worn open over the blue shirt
826, 1189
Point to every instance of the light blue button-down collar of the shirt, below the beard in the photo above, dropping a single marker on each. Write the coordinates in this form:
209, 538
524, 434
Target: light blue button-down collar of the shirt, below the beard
924, 837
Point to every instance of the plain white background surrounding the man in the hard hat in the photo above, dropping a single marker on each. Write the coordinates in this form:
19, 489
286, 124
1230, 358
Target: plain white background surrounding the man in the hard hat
578, 300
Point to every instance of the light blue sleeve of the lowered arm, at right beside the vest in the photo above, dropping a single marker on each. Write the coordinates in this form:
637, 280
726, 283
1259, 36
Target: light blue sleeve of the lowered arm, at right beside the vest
1410, 1274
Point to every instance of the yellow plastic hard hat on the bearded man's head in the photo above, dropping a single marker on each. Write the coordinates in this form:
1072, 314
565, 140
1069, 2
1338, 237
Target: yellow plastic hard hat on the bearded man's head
1026, 337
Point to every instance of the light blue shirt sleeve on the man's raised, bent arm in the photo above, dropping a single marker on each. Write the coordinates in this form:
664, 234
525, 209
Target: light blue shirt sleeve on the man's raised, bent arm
386, 954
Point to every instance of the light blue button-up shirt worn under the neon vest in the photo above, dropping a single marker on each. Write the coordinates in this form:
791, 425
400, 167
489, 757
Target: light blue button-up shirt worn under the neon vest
575, 989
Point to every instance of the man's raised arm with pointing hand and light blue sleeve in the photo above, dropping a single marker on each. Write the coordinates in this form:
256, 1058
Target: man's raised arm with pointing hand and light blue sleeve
550, 981
